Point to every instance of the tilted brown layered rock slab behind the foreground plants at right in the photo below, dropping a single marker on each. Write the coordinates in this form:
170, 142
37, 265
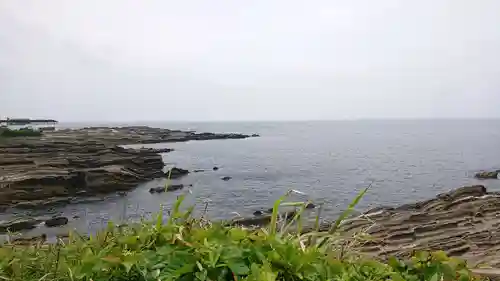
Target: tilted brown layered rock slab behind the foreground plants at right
464, 222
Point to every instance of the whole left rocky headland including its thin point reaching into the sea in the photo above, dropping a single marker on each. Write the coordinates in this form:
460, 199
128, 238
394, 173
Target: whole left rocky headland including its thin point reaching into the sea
64, 164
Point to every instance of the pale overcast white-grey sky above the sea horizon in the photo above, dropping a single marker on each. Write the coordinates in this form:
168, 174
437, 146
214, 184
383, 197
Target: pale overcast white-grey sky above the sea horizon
129, 60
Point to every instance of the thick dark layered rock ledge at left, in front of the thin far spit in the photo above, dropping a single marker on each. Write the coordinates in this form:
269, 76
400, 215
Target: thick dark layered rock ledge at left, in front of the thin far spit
37, 170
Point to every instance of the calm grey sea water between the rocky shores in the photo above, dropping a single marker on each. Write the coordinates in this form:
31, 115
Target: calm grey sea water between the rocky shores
331, 161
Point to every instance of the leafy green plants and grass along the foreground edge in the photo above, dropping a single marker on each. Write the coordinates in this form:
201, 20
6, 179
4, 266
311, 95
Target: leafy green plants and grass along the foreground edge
180, 247
